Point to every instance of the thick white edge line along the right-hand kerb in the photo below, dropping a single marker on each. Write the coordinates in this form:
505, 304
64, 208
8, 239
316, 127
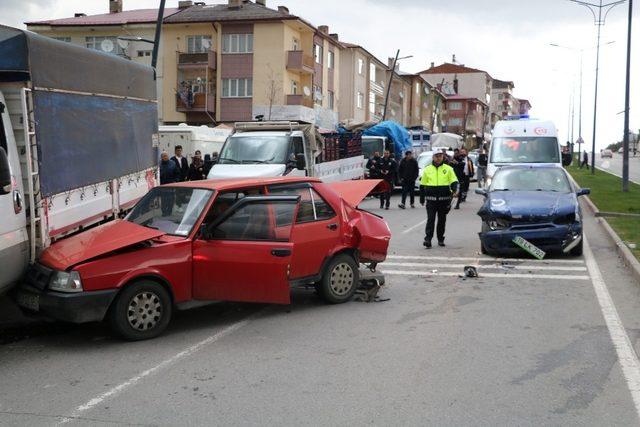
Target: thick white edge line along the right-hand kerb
626, 354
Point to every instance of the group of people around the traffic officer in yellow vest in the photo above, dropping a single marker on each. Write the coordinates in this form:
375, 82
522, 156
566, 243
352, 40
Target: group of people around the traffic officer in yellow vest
445, 179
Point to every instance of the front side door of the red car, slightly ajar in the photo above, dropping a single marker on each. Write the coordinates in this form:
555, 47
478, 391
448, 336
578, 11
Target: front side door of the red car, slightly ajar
246, 254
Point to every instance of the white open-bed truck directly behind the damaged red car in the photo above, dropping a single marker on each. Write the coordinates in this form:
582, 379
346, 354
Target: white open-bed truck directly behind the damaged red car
281, 148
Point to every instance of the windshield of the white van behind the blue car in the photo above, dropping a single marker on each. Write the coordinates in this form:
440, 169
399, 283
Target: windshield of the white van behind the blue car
525, 150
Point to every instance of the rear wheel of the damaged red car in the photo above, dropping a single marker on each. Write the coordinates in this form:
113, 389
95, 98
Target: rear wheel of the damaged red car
340, 279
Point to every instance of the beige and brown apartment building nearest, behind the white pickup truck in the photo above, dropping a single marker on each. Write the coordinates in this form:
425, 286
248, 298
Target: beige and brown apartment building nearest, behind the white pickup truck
257, 61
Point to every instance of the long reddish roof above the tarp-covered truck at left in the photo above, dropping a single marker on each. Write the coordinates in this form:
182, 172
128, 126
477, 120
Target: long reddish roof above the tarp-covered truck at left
126, 17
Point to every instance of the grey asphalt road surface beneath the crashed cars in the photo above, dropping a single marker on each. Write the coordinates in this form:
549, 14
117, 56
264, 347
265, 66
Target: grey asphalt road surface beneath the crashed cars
526, 343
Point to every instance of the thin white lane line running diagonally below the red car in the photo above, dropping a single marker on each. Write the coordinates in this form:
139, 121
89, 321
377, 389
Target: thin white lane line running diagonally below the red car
164, 364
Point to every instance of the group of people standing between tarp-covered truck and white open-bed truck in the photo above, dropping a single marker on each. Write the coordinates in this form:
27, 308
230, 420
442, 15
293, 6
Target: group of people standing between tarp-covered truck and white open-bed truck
178, 169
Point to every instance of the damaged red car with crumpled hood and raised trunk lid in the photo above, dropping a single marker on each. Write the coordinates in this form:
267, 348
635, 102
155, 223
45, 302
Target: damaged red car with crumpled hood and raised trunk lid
247, 240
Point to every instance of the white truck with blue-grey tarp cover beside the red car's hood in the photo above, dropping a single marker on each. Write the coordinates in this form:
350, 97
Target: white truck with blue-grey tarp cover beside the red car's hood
78, 142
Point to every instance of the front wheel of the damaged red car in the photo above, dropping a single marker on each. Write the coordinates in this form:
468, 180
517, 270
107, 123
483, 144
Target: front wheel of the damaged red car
141, 311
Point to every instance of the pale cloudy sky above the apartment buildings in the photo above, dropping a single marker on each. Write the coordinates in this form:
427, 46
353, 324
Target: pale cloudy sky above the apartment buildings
508, 39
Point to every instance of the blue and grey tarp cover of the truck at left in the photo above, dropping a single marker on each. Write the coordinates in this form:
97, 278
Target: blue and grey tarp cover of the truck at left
85, 138
